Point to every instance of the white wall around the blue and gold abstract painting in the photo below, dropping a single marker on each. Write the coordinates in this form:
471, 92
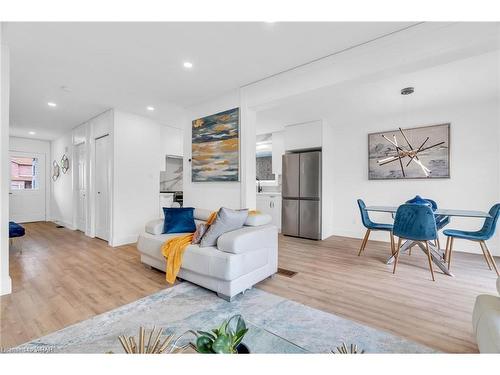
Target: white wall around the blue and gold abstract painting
210, 195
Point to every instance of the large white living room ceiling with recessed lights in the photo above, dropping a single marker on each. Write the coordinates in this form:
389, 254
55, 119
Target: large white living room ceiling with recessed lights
133, 65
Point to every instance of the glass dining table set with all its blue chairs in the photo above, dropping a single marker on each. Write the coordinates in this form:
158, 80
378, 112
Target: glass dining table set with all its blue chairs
417, 225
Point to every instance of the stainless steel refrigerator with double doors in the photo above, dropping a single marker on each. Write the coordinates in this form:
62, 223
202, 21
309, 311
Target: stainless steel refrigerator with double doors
301, 192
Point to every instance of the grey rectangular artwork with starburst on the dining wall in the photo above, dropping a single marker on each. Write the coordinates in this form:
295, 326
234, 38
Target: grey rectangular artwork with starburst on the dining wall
411, 153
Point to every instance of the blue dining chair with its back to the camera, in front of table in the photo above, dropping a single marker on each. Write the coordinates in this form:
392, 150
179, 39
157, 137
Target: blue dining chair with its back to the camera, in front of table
415, 222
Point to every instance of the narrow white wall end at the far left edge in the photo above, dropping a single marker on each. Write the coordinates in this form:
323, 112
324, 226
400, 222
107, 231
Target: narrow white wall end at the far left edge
5, 281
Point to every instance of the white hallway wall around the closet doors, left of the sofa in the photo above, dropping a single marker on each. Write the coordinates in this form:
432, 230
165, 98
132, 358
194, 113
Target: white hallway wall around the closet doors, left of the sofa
139, 146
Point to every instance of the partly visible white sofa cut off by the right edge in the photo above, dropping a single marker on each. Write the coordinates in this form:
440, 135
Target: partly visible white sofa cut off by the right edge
486, 322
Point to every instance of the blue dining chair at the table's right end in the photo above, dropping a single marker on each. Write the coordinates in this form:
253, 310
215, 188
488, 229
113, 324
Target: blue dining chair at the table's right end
481, 236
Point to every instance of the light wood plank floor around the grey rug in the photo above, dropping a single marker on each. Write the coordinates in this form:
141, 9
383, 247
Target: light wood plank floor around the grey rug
63, 277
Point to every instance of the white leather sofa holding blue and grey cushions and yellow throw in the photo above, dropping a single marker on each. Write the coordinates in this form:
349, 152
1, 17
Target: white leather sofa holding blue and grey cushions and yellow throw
241, 258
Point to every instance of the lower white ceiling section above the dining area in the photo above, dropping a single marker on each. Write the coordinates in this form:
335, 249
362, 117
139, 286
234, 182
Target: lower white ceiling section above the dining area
462, 81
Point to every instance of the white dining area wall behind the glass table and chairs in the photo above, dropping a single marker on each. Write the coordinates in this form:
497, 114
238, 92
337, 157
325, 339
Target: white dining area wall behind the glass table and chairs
475, 167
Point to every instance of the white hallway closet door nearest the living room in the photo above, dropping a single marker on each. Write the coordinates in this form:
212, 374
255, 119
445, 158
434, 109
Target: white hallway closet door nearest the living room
102, 171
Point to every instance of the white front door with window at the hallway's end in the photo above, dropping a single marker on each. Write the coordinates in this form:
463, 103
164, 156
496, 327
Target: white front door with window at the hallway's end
27, 187
